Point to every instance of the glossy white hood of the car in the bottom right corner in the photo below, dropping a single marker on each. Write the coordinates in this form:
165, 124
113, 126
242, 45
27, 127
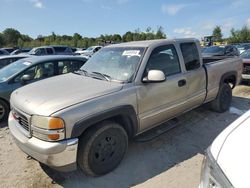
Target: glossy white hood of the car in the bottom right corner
232, 153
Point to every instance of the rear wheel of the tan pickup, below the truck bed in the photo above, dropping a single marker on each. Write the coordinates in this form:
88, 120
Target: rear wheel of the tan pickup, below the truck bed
223, 100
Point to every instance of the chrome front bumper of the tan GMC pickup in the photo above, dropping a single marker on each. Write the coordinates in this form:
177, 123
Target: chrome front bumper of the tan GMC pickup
59, 155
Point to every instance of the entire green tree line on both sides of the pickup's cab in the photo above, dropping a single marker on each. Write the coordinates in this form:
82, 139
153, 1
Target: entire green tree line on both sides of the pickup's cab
11, 37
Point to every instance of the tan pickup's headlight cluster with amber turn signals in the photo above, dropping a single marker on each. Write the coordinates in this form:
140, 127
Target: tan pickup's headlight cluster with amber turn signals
47, 128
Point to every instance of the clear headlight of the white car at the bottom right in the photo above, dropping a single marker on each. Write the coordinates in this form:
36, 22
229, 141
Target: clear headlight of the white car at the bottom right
211, 175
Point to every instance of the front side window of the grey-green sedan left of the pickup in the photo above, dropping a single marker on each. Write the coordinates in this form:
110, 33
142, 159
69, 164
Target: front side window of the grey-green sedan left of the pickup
39, 71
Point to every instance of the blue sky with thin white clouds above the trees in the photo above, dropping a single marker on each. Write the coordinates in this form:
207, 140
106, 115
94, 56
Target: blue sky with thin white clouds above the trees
179, 18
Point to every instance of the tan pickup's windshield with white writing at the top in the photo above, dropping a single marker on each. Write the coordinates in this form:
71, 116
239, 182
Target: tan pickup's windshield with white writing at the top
118, 63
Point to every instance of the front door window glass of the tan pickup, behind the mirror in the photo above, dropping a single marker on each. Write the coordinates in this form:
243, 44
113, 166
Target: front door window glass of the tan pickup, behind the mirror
164, 58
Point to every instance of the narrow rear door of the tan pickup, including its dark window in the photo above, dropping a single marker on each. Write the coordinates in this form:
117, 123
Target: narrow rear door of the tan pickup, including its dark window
195, 74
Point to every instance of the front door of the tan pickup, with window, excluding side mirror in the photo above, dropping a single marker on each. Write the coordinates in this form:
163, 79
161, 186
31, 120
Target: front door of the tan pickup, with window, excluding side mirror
160, 101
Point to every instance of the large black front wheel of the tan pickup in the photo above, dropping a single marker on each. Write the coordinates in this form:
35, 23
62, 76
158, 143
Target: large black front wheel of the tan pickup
102, 148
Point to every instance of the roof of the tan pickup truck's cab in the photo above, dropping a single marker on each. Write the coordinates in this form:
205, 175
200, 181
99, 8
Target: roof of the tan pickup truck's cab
148, 43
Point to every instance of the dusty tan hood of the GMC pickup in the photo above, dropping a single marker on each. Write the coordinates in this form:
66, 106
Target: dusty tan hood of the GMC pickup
51, 95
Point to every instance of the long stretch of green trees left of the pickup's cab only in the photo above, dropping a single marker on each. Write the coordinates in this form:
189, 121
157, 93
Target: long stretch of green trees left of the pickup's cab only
11, 37
